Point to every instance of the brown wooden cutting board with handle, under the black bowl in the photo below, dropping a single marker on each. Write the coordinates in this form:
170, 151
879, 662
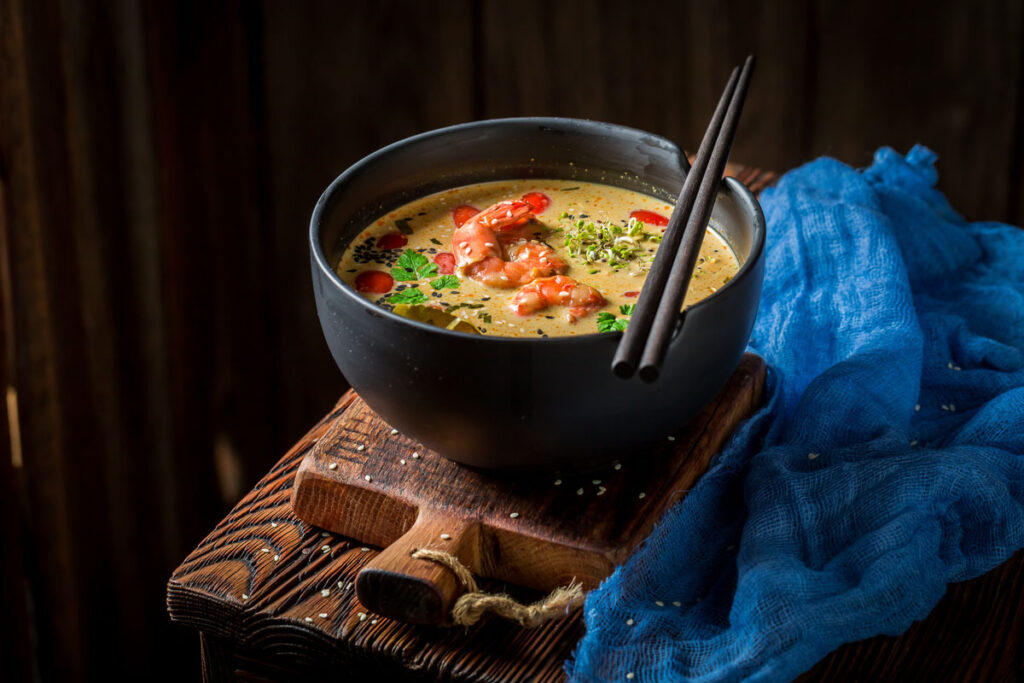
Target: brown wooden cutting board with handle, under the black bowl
367, 482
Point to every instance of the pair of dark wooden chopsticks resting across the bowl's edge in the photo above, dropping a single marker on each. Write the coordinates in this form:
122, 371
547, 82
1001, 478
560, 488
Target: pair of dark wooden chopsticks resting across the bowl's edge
657, 314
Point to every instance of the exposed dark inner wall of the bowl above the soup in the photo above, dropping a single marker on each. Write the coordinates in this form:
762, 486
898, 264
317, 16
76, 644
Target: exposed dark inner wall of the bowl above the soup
565, 149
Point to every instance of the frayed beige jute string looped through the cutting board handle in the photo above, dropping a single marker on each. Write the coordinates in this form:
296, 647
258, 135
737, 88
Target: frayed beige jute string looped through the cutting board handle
475, 604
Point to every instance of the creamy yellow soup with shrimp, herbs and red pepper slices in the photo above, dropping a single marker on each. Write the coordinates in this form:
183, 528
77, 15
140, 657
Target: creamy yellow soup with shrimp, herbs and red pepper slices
556, 259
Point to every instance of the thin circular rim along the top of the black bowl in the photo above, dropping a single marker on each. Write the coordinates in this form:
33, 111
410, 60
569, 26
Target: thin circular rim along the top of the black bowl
739, 190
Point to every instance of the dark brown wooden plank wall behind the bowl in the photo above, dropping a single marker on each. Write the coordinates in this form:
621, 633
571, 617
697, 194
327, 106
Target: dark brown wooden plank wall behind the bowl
158, 166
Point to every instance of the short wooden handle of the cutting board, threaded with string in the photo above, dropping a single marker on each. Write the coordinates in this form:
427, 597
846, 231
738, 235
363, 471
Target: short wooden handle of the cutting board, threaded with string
419, 591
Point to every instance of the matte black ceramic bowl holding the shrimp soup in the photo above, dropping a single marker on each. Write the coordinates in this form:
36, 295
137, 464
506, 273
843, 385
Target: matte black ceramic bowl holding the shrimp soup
524, 404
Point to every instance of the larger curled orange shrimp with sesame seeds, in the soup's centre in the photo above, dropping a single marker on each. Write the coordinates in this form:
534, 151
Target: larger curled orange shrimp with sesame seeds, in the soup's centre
482, 243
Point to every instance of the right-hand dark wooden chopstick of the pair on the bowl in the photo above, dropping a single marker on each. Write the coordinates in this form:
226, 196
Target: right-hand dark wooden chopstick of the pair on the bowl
674, 292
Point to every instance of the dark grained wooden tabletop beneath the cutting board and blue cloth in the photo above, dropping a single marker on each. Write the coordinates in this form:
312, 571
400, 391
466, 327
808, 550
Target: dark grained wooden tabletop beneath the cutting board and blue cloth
307, 622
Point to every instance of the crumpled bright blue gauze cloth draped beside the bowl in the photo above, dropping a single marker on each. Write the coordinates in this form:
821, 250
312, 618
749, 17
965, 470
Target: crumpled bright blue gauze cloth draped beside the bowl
886, 464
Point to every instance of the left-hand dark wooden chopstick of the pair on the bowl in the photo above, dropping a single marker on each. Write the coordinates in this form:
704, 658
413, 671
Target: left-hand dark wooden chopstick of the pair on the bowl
634, 339
